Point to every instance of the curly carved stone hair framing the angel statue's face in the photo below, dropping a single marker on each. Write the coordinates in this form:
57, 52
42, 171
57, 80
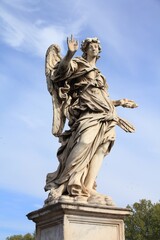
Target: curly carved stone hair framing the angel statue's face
86, 44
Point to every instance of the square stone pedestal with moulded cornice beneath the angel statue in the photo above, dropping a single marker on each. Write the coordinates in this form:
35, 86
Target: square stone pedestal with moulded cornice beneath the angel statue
78, 221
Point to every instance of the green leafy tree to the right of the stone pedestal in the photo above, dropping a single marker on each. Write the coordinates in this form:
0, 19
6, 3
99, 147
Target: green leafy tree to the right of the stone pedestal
144, 223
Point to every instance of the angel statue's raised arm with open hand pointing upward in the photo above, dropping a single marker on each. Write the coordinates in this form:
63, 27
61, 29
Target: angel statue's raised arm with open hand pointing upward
72, 48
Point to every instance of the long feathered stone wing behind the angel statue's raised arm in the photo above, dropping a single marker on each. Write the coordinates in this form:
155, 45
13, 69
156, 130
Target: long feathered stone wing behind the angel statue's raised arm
52, 58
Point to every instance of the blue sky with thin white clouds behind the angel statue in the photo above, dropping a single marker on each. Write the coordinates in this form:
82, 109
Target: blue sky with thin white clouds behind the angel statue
130, 37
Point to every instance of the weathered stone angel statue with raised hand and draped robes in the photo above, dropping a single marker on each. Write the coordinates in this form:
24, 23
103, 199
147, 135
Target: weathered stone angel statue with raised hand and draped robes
80, 94
